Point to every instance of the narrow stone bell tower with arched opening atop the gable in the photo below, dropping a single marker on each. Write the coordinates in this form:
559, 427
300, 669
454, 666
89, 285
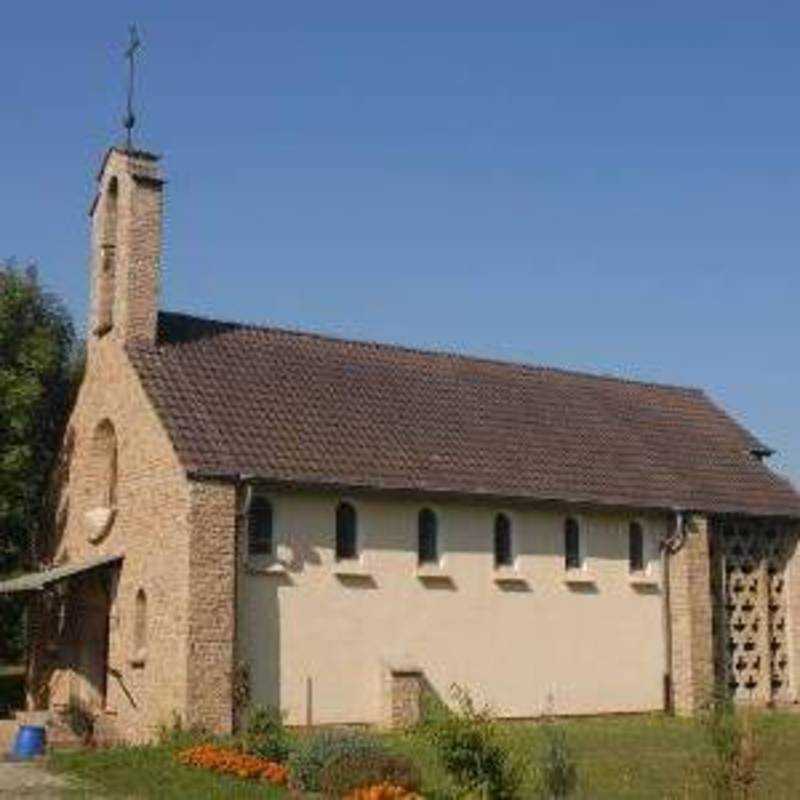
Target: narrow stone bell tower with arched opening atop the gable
126, 247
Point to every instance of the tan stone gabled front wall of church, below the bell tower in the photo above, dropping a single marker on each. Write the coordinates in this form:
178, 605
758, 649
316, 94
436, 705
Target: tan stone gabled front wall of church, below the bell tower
150, 528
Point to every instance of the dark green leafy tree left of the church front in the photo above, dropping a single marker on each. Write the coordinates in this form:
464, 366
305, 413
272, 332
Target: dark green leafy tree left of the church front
37, 381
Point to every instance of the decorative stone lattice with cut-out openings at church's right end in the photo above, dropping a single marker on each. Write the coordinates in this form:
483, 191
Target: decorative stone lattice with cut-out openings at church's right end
750, 624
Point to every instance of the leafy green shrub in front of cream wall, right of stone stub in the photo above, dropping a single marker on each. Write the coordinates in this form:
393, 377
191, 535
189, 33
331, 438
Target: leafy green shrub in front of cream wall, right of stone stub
468, 743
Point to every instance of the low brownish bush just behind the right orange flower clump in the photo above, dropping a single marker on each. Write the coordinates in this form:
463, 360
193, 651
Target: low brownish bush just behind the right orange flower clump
349, 771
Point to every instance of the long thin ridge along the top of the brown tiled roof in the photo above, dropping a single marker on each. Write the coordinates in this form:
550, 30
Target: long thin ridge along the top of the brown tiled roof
523, 365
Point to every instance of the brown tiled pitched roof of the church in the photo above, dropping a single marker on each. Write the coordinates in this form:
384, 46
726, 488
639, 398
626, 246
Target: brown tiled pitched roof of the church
298, 407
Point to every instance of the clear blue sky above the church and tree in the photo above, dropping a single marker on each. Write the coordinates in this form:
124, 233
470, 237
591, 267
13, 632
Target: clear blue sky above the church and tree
600, 186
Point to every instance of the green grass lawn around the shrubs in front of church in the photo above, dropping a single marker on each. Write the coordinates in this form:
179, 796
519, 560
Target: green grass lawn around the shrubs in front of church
619, 757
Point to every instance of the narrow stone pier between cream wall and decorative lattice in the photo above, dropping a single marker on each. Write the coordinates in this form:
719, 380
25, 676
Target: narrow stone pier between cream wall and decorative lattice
691, 612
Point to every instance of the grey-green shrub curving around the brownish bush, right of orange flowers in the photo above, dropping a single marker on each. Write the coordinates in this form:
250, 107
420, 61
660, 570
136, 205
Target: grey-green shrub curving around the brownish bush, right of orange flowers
307, 763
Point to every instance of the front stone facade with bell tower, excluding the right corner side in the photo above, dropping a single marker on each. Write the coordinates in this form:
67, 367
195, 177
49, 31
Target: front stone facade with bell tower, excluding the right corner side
146, 517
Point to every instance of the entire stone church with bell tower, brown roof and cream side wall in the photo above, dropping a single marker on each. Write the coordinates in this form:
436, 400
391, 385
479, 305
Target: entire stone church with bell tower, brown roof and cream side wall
252, 516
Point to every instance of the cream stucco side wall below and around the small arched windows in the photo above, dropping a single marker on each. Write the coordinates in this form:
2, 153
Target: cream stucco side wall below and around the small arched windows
525, 648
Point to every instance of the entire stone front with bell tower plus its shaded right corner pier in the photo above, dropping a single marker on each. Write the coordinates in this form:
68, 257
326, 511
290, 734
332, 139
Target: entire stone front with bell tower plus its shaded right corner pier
124, 492
